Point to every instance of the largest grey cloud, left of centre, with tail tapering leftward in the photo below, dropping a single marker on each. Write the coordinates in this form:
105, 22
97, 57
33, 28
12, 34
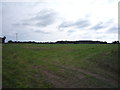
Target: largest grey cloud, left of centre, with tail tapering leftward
41, 19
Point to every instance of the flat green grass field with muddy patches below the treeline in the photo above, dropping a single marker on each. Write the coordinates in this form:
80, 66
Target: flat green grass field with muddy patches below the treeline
60, 65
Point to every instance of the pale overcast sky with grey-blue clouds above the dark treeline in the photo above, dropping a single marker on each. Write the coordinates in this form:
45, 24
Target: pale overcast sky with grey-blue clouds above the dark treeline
56, 20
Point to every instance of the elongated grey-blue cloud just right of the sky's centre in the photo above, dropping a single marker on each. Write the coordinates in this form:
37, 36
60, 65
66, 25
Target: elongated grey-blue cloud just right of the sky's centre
81, 23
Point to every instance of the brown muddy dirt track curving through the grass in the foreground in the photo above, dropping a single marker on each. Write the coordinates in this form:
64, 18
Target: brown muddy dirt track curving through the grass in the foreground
74, 78
